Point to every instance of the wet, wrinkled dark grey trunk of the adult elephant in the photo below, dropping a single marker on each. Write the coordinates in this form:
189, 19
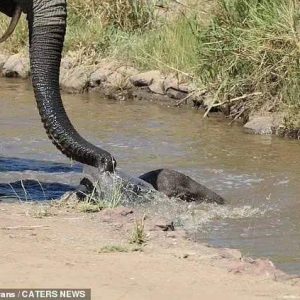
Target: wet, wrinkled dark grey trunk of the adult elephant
47, 26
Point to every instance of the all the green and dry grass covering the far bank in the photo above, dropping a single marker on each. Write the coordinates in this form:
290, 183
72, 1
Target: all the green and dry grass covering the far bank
237, 49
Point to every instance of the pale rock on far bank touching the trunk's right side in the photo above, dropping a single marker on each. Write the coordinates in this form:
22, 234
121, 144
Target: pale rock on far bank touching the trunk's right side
75, 80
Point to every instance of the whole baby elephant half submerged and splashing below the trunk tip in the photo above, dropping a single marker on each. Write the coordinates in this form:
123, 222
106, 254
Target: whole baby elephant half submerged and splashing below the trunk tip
169, 182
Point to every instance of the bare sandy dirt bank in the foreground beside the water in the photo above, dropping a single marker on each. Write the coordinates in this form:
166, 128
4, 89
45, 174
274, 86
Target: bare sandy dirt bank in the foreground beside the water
71, 249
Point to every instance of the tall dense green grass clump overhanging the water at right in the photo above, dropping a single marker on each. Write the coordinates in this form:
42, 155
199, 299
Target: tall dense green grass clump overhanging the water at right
253, 46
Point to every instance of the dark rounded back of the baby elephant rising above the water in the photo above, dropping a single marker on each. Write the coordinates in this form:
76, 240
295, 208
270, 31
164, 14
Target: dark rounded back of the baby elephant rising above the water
175, 184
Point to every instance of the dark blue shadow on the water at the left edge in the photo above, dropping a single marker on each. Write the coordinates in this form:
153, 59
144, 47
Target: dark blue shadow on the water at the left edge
33, 189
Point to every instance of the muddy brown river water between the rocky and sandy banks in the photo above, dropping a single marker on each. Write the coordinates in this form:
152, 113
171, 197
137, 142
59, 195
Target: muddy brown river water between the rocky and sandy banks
258, 175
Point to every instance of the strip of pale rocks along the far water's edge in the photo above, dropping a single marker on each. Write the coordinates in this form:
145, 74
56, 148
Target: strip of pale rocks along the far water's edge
122, 82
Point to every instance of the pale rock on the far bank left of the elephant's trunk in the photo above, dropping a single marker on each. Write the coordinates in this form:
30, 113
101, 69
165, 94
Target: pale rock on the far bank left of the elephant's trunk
16, 66
